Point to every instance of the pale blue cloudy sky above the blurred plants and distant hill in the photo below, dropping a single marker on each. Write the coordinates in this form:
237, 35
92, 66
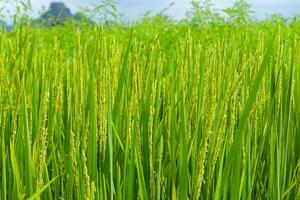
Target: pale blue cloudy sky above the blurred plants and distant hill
133, 9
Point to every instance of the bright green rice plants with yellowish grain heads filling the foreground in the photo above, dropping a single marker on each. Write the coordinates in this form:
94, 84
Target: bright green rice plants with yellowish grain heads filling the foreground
166, 112
